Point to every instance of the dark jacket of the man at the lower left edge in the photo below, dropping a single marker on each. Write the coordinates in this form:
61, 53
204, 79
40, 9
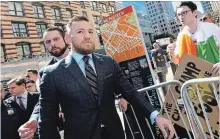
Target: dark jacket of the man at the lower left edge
11, 123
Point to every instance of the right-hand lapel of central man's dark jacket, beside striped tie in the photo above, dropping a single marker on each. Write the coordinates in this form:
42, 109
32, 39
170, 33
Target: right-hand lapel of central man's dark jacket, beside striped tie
98, 61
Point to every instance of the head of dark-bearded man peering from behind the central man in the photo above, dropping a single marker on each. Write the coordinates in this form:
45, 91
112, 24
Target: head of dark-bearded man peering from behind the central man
54, 41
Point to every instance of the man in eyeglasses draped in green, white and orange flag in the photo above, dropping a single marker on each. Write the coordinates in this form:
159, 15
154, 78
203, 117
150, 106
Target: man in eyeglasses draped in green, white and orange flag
195, 37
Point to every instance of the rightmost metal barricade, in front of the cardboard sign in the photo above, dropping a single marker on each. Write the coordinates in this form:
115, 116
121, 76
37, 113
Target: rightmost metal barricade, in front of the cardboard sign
193, 118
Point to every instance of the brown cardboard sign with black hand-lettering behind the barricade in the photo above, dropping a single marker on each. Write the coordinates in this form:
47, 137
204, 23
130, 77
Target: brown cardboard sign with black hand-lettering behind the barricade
192, 67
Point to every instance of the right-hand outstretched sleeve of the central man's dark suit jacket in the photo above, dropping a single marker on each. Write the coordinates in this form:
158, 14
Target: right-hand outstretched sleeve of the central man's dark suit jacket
135, 98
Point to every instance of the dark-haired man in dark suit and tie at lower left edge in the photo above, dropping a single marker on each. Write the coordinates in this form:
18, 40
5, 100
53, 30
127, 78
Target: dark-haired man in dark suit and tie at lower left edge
17, 109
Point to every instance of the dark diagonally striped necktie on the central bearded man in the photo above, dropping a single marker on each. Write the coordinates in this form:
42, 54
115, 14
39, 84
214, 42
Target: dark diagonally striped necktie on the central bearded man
91, 77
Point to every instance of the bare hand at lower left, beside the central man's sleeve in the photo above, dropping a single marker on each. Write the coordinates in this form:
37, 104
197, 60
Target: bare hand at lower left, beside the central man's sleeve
28, 129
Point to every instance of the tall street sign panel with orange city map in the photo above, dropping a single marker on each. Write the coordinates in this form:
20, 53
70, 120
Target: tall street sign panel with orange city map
123, 40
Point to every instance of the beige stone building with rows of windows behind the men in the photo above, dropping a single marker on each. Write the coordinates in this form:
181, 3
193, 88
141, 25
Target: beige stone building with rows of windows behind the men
23, 23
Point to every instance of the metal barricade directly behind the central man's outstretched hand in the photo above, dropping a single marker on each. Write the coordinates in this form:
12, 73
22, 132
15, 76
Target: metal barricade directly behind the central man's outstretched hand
146, 89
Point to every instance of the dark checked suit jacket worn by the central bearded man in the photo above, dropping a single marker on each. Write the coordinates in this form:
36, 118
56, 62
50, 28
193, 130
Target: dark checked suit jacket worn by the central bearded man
65, 83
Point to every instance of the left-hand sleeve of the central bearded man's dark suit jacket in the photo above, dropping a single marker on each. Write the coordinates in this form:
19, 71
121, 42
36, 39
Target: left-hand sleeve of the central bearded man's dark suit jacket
48, 108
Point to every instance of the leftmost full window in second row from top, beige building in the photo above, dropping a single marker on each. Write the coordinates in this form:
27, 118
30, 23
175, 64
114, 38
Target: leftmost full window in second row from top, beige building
19, 29
